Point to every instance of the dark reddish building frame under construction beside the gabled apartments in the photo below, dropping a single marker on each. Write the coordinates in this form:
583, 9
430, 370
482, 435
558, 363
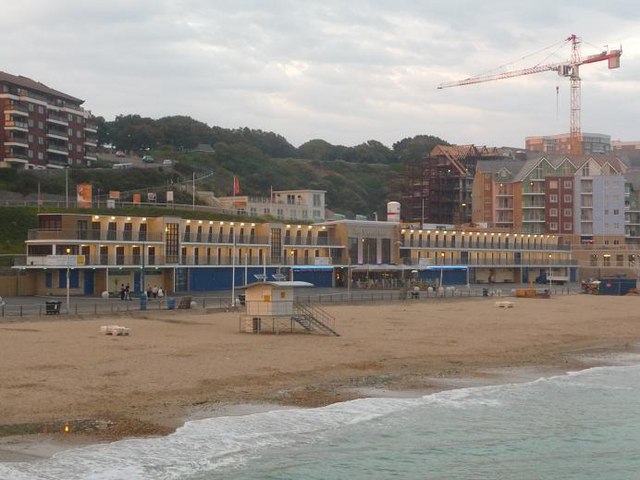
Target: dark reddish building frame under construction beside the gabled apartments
437, 190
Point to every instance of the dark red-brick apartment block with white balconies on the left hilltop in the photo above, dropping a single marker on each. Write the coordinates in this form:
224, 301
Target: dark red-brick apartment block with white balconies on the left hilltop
42, 127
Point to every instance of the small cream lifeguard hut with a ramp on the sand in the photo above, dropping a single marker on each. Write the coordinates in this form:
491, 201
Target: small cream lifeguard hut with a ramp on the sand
271, 308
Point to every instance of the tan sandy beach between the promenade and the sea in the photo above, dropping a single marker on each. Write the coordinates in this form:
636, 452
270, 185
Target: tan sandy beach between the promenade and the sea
179, 365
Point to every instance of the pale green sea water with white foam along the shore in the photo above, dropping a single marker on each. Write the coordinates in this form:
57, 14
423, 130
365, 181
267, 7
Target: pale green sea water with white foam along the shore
582, 425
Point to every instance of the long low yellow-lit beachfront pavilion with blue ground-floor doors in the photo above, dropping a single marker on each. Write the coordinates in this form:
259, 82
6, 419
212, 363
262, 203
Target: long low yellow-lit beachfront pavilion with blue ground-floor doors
101, 252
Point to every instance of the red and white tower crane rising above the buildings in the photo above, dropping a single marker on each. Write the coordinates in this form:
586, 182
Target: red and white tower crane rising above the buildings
569, 68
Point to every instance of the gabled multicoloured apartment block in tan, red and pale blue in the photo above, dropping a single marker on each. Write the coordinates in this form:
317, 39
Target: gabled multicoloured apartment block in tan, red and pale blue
552, 194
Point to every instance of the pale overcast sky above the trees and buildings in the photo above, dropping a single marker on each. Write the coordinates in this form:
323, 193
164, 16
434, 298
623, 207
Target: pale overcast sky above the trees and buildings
343, 71
